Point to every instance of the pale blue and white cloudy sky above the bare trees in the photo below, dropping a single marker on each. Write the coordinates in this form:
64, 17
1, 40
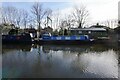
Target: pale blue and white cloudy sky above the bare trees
100, 10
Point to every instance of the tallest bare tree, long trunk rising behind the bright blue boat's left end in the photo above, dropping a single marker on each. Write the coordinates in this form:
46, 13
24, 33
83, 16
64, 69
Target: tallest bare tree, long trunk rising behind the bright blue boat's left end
39, 12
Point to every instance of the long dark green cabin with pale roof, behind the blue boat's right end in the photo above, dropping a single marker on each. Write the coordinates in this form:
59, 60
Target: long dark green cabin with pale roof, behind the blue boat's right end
93, 32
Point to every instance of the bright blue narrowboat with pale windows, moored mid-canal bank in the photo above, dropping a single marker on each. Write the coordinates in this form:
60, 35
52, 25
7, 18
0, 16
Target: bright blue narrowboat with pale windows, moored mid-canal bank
74, 39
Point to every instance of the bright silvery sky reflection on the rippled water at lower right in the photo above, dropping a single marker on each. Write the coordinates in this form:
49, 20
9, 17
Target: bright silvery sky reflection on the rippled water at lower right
103, 64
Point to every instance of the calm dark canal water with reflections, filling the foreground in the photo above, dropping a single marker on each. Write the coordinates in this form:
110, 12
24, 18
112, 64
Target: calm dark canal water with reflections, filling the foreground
59, 61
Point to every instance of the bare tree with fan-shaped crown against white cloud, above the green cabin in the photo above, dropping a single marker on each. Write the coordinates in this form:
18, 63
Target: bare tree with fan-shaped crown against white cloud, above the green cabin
80, 15
